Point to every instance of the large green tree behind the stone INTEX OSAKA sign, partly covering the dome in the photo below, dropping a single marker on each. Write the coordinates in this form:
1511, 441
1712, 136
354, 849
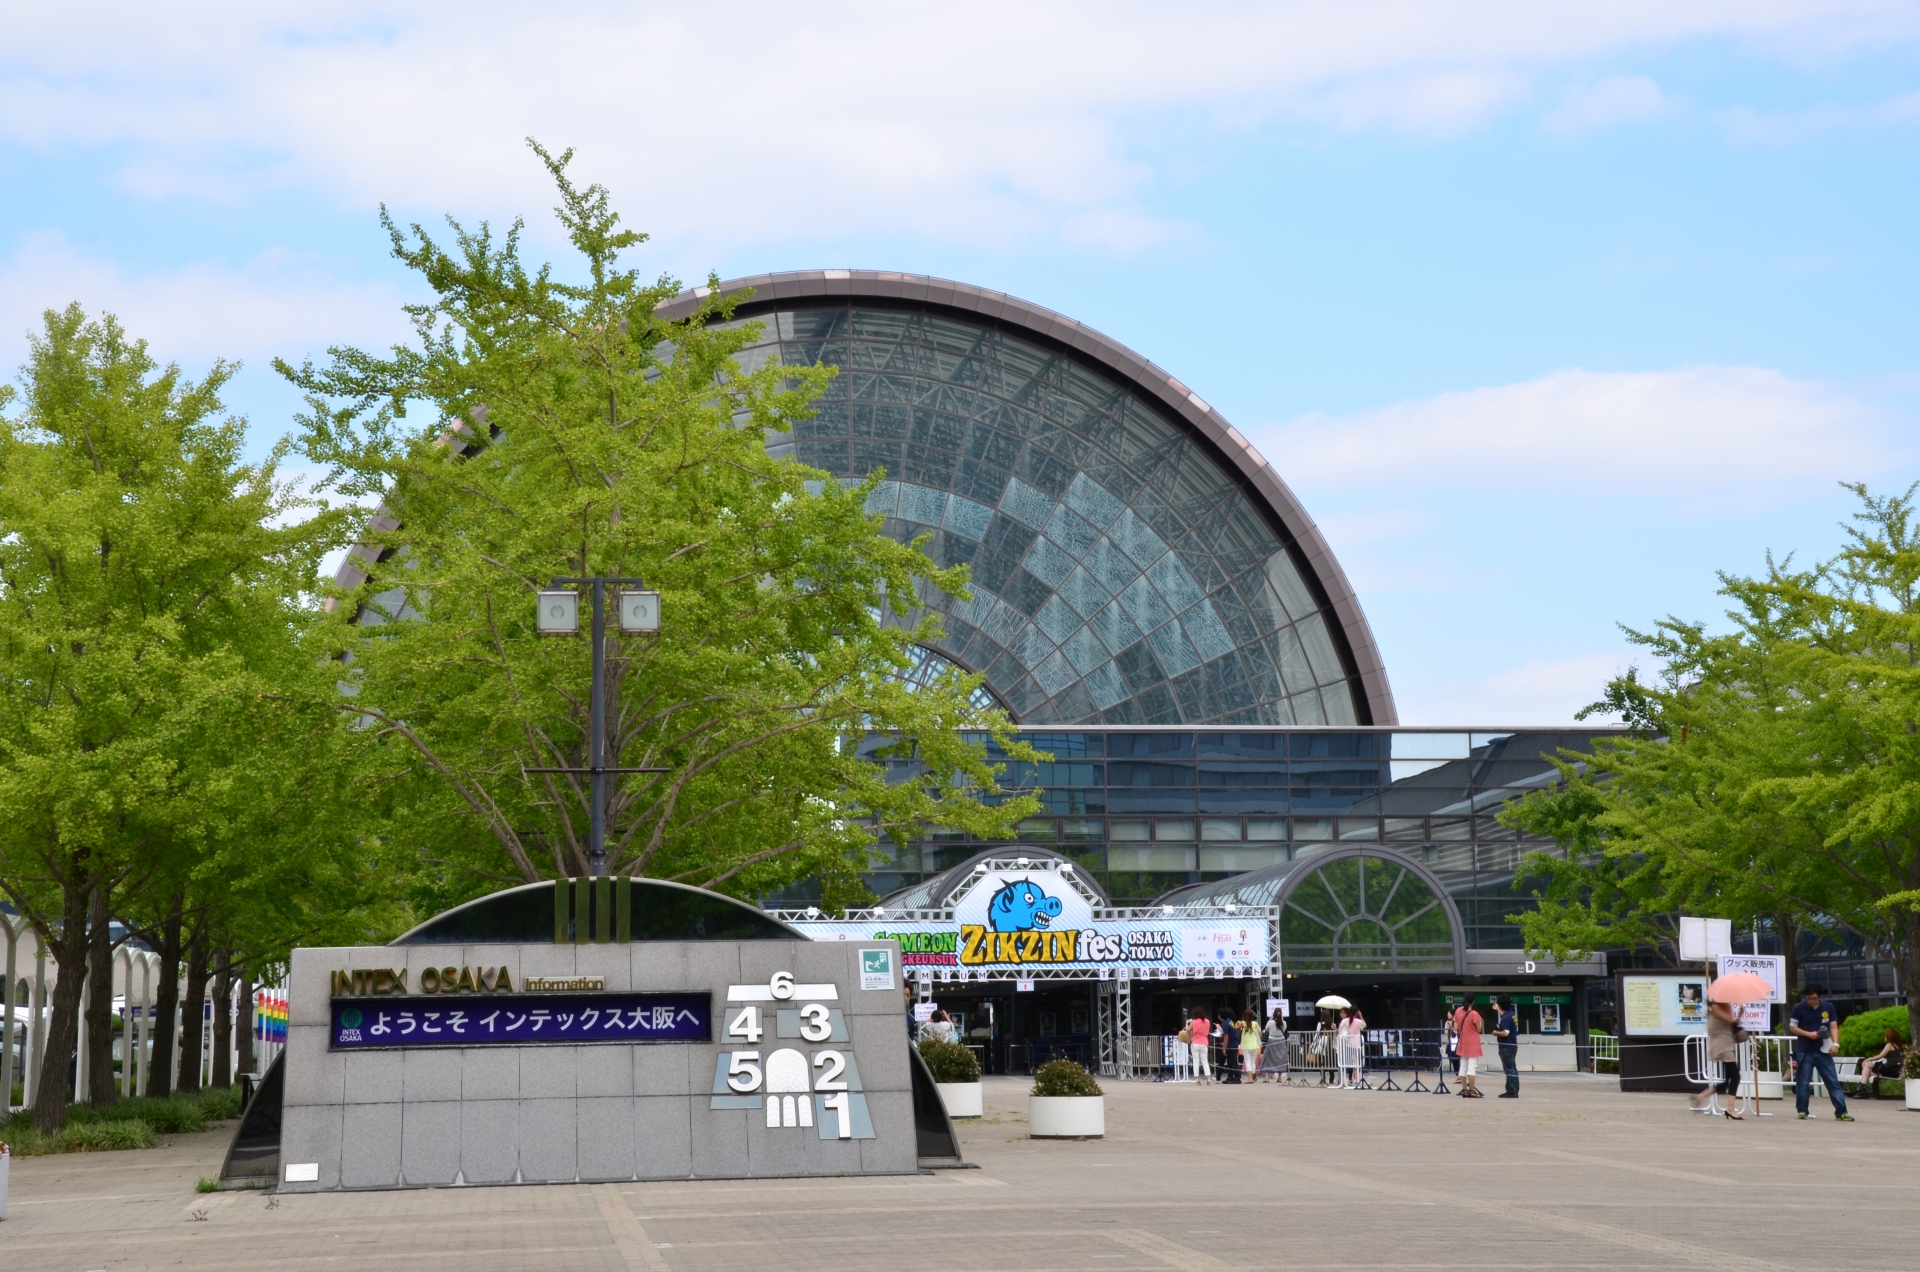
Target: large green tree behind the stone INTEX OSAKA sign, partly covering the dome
571, 431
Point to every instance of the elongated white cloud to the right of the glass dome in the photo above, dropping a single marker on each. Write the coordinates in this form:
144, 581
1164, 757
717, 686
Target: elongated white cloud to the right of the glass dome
1708, 433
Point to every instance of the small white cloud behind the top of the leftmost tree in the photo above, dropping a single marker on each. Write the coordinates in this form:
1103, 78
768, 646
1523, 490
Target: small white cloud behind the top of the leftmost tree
276, 305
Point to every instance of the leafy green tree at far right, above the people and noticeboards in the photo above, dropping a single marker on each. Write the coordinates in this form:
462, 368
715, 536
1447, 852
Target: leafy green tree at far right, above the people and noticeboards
1773, 770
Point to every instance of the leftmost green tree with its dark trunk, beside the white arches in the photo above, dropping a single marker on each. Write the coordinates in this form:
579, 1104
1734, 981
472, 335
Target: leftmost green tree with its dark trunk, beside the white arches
143, 570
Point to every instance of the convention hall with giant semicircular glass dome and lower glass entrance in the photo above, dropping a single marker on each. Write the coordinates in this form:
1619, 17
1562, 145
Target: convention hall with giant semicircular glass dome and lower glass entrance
1157, 612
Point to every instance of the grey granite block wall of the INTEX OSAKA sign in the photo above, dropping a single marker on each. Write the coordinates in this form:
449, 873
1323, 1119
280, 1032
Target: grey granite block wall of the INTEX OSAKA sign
587, 1112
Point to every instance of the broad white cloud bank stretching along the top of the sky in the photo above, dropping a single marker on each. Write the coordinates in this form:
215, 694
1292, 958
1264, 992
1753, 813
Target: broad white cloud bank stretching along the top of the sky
740, 122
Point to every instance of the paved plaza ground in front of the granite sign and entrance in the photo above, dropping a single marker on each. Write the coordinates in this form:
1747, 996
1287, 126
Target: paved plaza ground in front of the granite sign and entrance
1197, 1179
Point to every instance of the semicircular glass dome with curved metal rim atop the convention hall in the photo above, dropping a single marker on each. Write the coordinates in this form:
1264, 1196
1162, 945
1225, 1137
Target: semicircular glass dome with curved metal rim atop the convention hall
1136, 560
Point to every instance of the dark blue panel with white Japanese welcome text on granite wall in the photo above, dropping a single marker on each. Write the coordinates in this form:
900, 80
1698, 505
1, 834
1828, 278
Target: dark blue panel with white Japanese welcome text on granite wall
517, 1021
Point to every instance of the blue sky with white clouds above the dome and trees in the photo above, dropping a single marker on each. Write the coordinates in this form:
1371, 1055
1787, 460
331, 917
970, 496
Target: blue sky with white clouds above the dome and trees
1545, 314
